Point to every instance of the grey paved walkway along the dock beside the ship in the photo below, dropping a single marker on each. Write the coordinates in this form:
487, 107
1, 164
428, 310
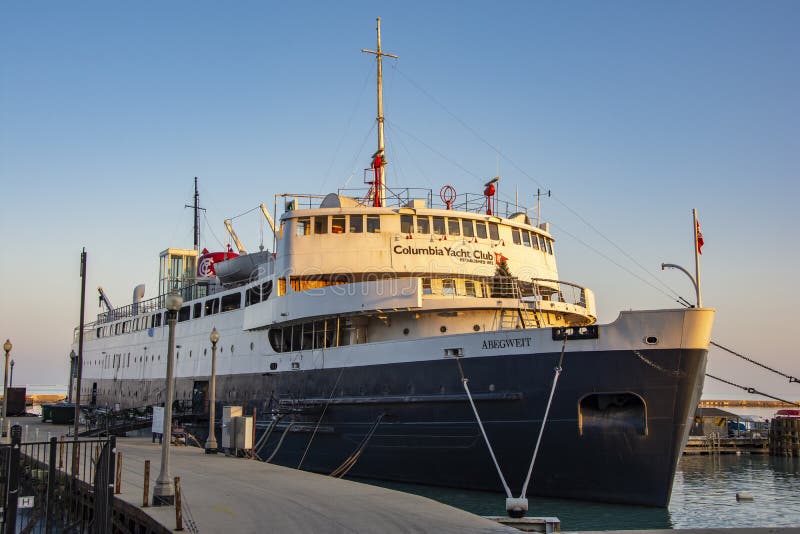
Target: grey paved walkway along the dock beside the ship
235, 495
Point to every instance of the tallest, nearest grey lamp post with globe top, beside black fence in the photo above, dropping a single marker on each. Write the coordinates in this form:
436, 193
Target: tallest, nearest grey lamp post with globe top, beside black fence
164, 490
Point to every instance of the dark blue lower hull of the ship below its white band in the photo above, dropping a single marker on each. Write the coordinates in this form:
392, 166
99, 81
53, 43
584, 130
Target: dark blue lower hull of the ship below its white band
615, 432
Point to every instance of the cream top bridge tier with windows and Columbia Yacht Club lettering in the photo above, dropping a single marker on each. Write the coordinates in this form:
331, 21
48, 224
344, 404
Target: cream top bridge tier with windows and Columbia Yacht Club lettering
340, 235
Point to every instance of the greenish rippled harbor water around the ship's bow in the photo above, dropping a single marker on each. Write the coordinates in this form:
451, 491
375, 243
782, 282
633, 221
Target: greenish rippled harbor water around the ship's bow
703, 496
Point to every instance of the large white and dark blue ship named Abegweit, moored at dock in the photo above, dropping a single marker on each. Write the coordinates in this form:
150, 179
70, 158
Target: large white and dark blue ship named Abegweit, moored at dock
399, 334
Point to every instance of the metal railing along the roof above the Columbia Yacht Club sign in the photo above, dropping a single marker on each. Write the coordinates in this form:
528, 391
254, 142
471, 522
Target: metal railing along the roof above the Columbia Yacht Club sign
403, 197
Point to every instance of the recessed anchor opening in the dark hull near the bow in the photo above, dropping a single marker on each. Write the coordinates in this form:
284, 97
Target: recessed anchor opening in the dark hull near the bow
603, 413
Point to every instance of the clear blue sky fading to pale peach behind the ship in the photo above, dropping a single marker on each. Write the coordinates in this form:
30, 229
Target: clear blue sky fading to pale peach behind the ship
630, 113
